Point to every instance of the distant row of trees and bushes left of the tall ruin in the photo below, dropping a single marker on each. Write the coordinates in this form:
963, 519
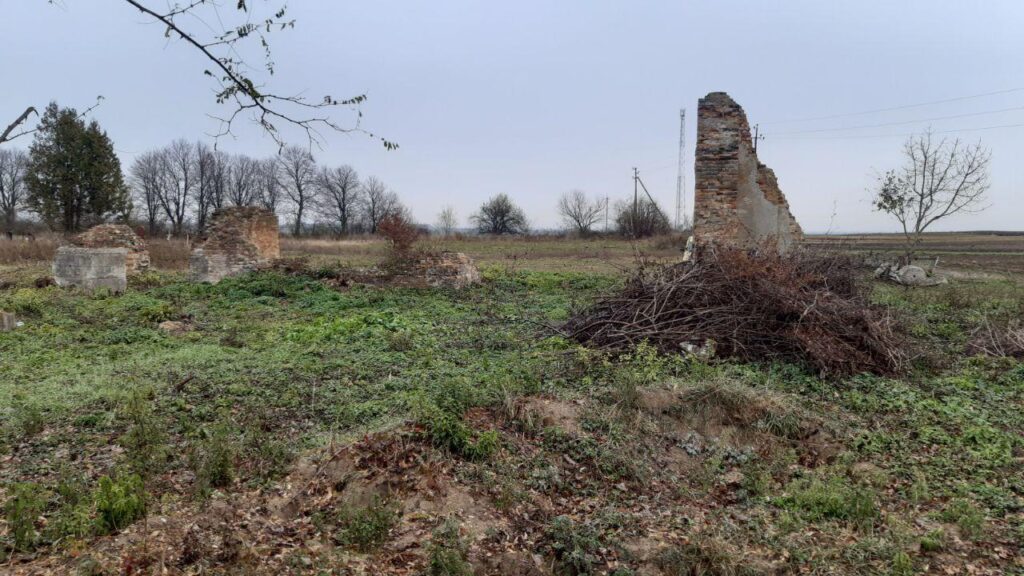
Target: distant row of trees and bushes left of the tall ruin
71, 179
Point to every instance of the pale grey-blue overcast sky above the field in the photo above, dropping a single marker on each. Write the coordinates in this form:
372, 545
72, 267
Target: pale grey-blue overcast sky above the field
537, 98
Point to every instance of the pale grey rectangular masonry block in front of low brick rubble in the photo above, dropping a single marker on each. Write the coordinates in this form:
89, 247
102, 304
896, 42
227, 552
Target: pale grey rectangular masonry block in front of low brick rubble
91, 269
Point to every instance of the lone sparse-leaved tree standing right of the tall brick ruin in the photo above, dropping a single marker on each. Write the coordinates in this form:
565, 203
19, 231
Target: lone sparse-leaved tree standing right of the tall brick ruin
938, 180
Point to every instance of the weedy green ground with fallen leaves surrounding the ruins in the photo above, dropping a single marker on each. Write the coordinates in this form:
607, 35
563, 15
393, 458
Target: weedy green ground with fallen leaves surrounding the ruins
411, 431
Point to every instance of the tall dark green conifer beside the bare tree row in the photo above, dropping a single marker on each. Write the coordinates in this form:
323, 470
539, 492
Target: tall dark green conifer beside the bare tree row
74, 178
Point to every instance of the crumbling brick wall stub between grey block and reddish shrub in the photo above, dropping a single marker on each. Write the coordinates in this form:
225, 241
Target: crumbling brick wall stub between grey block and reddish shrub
240, 239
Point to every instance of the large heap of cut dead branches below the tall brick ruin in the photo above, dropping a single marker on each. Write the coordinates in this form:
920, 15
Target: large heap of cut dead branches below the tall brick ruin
753, 305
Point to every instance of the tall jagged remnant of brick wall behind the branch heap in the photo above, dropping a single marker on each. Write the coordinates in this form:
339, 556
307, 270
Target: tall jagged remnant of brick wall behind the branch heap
737, 198
